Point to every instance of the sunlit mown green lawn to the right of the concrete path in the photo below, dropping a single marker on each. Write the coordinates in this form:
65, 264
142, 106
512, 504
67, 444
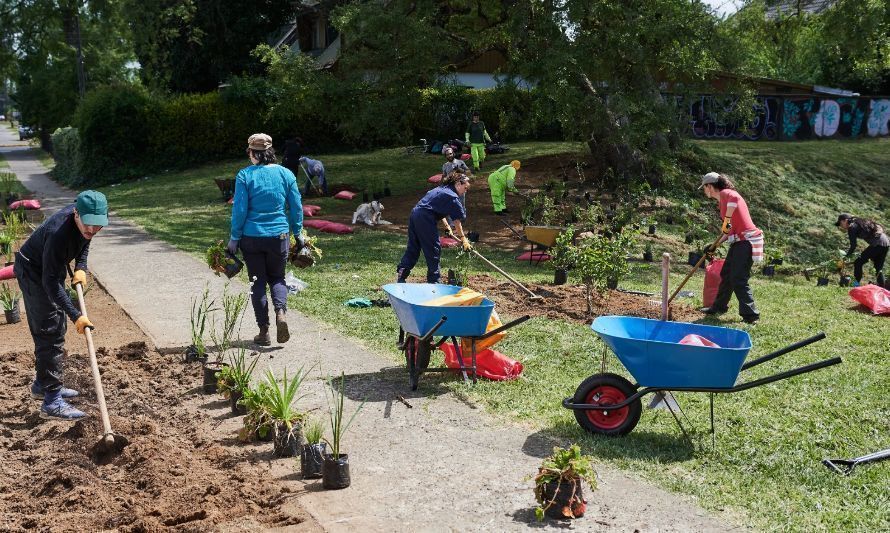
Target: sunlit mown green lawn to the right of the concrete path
770, 440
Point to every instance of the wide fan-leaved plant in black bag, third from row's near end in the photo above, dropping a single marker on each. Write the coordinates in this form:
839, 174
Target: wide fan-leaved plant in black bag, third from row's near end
280, 406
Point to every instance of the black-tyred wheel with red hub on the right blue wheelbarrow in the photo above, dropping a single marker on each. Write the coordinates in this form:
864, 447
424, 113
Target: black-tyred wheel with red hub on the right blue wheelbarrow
607, 389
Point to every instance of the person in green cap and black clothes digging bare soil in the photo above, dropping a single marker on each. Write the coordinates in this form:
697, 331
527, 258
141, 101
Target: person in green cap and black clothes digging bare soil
40, 268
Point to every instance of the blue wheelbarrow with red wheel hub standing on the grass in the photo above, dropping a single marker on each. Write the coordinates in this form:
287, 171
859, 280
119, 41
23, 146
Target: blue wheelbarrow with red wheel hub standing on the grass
609, 404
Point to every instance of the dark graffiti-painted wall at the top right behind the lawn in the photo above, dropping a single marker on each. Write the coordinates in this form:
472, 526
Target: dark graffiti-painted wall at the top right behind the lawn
789, 118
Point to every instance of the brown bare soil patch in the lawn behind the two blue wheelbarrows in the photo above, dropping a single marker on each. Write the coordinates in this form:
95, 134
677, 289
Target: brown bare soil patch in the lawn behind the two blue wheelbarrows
567, 302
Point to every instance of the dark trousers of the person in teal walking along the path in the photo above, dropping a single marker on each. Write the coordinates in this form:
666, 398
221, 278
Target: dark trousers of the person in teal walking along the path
265, 258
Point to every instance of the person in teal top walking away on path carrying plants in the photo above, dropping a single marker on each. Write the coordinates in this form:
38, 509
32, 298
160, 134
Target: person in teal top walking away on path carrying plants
266, 205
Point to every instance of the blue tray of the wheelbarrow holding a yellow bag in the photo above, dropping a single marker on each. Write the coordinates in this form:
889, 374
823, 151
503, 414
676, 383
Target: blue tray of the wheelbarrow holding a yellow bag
417, 318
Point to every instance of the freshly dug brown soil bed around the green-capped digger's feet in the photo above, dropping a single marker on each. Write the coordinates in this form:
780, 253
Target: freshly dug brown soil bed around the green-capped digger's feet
173, 474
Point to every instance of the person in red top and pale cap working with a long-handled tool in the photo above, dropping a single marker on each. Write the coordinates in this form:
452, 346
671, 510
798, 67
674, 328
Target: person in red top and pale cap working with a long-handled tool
745, 248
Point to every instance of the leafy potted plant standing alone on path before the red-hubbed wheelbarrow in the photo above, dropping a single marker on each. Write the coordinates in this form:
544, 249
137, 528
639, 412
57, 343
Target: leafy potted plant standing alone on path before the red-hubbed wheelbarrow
558, 483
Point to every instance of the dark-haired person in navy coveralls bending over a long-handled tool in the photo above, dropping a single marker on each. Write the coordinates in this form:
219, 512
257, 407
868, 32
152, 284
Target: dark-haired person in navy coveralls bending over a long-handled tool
423, 235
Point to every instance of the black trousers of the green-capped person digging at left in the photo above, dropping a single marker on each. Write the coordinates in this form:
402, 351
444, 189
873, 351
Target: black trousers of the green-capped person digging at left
47, 323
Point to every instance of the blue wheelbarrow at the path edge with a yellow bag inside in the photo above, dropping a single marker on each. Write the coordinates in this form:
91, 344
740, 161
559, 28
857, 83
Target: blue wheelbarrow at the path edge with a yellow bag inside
419, 322
